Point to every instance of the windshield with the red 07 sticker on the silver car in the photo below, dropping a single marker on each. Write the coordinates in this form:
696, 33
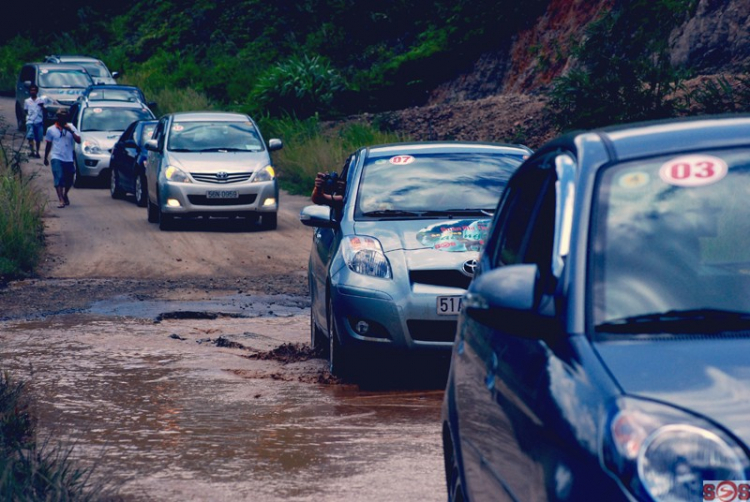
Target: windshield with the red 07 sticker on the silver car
420, 184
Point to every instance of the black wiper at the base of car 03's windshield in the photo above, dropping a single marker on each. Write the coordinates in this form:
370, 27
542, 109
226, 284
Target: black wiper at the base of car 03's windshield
680, 321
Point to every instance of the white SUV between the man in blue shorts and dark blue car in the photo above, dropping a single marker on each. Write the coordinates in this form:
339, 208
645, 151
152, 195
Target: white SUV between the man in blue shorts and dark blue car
100, 124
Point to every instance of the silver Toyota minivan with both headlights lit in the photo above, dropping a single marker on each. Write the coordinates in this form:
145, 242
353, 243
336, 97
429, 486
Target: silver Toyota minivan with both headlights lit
211, 164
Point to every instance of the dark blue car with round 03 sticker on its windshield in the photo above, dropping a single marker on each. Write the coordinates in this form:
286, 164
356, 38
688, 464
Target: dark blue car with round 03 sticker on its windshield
601, 352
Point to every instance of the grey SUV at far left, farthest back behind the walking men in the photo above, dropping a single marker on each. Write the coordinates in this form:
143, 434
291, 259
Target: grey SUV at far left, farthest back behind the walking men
59, 84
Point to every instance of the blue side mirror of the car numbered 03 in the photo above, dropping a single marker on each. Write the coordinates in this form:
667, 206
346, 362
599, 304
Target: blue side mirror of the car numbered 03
506, 299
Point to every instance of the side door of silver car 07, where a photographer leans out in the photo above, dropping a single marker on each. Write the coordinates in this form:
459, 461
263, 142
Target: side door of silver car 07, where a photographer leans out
325, 242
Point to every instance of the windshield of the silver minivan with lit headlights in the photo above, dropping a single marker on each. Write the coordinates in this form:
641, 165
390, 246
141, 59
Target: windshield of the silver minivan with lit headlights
214, 137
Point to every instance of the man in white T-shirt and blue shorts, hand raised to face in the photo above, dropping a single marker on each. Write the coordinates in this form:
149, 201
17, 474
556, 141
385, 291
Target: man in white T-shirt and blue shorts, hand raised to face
60, 138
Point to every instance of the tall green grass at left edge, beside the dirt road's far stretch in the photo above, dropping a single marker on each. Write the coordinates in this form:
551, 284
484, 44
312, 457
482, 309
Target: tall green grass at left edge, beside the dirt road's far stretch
21, 210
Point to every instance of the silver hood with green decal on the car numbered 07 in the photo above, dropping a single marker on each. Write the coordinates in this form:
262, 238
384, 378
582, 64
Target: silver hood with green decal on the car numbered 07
448, 236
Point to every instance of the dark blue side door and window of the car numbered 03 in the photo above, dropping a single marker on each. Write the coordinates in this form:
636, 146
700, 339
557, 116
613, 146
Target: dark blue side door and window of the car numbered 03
498, 374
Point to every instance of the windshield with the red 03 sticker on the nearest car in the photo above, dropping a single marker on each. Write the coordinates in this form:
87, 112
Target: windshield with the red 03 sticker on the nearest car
671, 246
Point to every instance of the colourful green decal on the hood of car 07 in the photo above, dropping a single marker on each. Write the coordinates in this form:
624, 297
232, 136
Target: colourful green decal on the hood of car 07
455, 236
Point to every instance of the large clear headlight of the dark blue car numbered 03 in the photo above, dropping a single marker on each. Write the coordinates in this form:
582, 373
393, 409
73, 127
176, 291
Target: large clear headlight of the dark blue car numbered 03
661, 453
